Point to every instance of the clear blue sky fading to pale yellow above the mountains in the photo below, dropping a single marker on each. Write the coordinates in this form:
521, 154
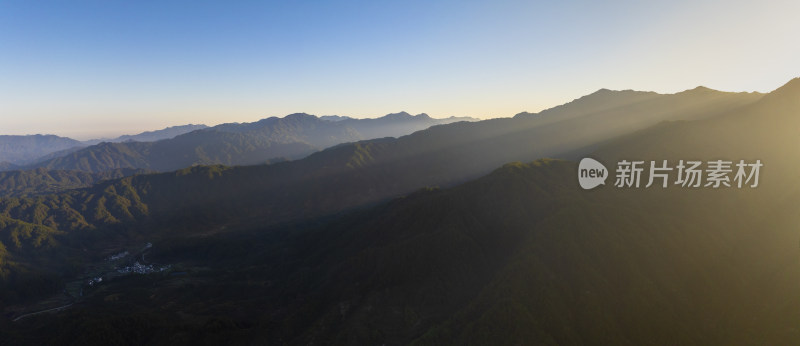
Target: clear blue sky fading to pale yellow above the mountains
89, 69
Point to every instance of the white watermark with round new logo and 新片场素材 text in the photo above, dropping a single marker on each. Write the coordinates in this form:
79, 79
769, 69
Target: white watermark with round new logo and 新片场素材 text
693, 174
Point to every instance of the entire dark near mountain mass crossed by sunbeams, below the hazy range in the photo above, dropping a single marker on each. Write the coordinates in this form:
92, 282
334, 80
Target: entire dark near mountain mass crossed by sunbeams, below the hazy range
439, 237
